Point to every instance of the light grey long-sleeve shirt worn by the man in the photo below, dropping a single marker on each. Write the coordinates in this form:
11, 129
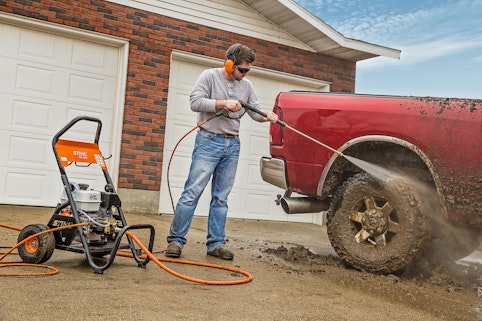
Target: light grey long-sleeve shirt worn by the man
211, 86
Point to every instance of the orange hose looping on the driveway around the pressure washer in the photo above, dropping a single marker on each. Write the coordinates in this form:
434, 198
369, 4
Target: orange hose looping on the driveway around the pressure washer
54, 270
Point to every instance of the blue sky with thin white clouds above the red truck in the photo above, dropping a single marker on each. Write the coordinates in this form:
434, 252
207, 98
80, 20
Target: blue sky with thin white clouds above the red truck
440, 43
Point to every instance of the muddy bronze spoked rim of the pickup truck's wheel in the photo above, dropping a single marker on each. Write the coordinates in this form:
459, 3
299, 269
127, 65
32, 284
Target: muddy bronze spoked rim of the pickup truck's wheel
374, 221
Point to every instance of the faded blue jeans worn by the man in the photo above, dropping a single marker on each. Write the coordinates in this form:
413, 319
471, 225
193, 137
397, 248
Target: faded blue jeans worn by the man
213, 156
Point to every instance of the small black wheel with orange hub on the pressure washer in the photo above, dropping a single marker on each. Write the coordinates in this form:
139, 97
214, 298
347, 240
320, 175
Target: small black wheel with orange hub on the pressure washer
38, 249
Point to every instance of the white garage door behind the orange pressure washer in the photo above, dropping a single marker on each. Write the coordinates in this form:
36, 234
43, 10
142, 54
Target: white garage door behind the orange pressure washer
46, 80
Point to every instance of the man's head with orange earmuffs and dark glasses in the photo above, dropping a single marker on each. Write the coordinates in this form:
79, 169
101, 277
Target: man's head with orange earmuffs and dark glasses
238, 60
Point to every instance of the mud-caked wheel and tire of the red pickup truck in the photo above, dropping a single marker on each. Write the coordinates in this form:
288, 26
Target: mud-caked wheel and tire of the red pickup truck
378, 227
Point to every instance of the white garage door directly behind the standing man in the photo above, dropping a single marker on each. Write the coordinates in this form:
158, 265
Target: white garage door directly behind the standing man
251, 197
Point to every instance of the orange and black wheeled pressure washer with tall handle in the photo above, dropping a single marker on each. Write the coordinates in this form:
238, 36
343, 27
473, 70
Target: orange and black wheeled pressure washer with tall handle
96, 218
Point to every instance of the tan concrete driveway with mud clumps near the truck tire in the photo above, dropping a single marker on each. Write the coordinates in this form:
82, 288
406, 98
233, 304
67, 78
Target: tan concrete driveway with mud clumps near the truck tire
307, 284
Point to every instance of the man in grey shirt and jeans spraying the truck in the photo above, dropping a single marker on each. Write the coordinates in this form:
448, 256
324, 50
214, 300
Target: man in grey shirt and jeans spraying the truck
216, 149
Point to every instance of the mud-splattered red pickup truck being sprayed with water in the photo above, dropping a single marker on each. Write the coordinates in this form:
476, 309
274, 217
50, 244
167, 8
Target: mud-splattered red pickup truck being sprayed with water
430, 203
